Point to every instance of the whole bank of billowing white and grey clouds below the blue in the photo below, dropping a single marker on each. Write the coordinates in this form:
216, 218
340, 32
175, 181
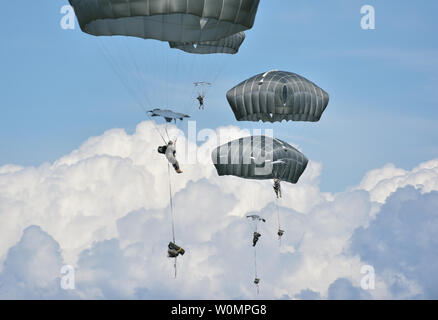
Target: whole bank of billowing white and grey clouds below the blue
104, 208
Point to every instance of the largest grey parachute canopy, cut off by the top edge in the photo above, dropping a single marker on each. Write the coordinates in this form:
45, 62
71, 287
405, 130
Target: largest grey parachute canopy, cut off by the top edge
166, 20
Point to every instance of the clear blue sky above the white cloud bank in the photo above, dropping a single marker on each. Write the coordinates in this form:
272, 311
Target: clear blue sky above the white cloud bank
58, 90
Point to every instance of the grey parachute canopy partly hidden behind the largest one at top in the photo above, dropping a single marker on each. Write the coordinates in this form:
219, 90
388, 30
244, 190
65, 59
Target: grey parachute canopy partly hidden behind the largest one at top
228, 45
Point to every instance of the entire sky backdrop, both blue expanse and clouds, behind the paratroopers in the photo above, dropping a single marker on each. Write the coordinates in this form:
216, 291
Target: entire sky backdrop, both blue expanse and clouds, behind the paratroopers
97, 204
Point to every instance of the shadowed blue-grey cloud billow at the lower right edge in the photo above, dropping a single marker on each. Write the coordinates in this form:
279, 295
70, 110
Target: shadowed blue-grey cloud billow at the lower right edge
401, 244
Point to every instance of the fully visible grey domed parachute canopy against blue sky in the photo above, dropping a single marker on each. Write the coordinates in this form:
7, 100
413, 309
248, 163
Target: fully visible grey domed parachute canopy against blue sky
276, 96
